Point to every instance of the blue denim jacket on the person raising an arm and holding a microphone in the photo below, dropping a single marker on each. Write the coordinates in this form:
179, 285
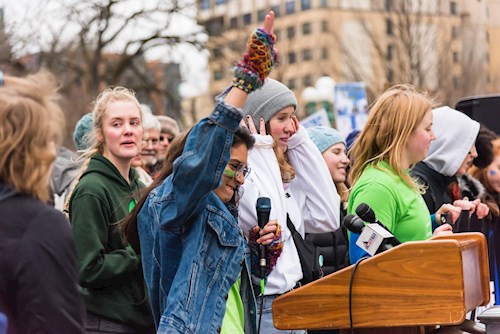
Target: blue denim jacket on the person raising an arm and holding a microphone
191, 245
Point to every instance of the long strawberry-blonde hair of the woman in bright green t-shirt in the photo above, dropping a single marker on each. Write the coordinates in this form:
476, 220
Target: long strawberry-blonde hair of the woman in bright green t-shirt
391, 120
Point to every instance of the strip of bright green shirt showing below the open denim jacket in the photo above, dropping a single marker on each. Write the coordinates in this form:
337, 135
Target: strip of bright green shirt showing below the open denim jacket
234, 319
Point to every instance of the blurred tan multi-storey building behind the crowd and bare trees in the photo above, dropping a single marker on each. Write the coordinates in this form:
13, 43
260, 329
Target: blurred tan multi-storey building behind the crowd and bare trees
448, 47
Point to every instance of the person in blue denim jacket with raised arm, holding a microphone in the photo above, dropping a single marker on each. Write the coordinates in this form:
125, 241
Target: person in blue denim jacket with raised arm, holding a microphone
195, 256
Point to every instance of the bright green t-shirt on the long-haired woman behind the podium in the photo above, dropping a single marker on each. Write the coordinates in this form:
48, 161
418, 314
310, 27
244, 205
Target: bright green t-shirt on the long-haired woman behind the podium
396, 205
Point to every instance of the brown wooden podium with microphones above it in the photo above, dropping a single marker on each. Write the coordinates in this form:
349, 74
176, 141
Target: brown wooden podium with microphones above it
424, 283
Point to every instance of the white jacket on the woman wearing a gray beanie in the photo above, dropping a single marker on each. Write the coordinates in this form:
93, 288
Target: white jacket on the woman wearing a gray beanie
313, 203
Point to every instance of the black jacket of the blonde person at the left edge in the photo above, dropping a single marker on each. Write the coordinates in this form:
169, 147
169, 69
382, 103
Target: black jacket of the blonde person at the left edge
38, 275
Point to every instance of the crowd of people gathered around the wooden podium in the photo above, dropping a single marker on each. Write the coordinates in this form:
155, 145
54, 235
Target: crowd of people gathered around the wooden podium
148, 229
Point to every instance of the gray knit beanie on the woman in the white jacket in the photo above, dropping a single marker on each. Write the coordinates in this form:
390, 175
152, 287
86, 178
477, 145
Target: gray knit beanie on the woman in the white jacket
272, 97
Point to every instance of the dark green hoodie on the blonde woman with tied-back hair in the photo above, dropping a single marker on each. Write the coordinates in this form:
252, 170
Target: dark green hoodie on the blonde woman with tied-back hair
110, 272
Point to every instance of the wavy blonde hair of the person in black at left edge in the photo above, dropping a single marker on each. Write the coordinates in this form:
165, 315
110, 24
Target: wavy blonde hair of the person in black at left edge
30, 130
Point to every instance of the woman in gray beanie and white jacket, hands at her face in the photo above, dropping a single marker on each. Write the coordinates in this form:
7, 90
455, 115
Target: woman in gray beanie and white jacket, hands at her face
288, 168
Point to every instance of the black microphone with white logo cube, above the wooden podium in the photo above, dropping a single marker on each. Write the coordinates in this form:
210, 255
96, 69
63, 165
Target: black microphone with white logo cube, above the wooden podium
373, 239
